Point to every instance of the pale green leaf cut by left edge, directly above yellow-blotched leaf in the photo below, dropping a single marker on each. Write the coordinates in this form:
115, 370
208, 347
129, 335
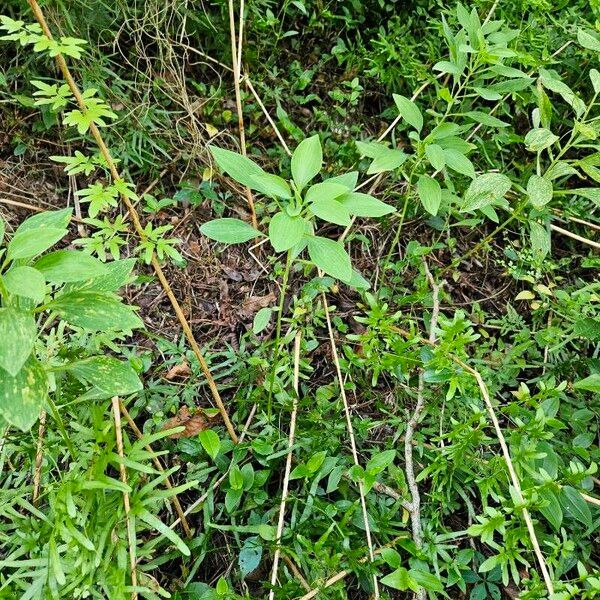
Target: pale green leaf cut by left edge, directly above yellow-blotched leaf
17, 334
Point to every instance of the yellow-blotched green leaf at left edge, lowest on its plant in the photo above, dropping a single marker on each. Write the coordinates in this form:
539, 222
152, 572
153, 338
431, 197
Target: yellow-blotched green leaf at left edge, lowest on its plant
23, 396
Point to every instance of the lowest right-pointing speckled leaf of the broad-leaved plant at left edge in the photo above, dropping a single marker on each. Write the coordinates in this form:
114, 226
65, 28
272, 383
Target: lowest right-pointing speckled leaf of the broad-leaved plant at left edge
108, 375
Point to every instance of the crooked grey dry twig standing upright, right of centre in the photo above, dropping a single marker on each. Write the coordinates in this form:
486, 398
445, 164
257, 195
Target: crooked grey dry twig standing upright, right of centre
411, 427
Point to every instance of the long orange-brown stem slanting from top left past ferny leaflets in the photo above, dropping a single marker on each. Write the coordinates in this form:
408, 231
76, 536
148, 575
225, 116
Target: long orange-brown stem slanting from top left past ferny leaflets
62, 65
